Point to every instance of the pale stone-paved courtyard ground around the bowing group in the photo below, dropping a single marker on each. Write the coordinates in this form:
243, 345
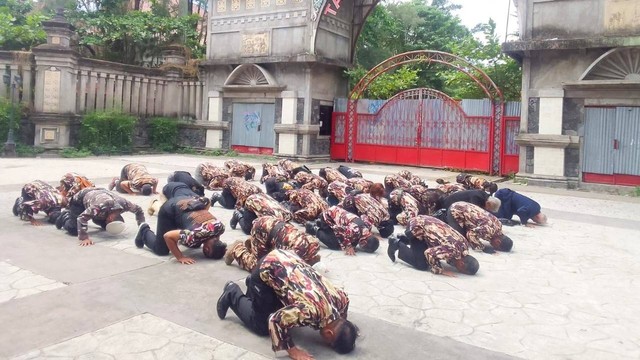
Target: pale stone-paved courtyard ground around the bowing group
567, 291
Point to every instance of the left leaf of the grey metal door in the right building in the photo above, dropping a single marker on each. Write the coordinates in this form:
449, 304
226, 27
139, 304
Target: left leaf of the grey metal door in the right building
599, 131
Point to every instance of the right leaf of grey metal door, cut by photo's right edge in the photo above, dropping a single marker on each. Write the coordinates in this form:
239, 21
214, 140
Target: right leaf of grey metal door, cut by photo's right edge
625, 143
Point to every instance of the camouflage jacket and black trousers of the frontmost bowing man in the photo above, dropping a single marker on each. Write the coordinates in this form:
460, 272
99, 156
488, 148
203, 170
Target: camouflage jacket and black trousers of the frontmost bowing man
284, 292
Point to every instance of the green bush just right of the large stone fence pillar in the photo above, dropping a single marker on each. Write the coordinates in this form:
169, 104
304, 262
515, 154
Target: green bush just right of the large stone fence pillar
107, 133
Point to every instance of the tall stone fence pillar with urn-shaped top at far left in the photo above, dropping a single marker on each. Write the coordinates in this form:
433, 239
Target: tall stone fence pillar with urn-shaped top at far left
55, 96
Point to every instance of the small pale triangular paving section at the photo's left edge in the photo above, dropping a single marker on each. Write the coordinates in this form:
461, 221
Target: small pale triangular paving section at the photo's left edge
17, 283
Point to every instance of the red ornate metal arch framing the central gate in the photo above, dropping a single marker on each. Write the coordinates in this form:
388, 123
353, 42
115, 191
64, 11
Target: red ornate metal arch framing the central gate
427, 56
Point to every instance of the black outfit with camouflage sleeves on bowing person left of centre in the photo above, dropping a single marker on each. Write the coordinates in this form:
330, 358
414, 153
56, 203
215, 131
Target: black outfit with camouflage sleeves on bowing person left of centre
183, 210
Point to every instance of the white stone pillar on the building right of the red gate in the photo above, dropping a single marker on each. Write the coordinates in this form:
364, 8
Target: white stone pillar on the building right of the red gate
550, 160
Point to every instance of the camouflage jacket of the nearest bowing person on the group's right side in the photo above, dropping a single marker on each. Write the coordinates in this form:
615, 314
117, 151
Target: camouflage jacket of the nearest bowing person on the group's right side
444, 243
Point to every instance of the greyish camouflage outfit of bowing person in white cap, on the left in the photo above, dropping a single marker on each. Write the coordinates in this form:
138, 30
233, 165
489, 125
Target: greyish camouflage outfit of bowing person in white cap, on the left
97, 204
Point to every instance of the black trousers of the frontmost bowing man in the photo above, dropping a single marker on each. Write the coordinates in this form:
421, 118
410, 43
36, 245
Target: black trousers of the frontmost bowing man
257, 305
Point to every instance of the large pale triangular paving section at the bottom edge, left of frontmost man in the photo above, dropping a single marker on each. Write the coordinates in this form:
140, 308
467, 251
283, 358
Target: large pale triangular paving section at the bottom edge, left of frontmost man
142, 337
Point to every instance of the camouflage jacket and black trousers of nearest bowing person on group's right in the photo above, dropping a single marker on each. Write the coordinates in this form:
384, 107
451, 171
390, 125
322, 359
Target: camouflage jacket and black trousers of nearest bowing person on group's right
431, 240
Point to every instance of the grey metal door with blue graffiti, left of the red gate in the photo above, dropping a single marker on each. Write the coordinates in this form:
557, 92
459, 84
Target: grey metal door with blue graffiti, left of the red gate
253, 125
